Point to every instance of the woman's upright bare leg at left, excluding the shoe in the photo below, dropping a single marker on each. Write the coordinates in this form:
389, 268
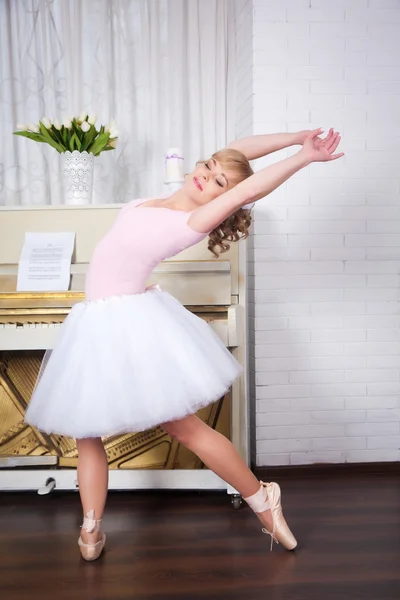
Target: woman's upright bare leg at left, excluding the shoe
92, 481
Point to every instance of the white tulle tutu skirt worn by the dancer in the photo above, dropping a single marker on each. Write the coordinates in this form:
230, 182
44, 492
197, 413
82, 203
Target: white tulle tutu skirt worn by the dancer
128, 363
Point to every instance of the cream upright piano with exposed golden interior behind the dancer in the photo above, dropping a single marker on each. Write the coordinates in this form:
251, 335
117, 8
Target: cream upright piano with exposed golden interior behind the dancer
29, 324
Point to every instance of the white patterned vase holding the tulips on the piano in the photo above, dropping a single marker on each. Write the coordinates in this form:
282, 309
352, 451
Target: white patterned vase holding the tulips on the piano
78, 177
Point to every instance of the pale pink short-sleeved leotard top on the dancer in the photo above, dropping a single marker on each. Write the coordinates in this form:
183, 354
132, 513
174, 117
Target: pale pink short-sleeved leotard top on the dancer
140, 238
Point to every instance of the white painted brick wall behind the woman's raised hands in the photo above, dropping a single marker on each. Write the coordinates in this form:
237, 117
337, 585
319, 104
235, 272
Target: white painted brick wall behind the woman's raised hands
325, 251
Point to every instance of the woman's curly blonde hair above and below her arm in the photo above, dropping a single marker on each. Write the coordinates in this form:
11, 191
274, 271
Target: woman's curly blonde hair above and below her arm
235, 227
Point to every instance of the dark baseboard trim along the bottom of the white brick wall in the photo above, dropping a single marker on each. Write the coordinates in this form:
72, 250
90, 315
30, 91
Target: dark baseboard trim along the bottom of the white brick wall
318, 470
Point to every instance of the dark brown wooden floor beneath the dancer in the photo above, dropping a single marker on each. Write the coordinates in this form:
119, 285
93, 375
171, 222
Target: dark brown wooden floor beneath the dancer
195, 545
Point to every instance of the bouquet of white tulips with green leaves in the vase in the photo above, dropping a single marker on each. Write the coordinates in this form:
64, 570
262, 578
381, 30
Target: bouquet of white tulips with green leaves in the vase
77, 133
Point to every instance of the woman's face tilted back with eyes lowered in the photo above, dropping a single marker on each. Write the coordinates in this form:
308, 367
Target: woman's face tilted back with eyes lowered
208, 181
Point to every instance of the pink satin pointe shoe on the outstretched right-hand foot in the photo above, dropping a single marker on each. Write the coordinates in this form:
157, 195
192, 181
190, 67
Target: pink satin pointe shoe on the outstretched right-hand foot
268, 497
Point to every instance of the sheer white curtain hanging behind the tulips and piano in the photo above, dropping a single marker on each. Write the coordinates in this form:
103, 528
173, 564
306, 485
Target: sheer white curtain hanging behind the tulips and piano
163, 69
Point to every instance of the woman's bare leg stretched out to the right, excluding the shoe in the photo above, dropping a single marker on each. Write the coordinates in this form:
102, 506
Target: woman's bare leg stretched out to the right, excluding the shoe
219, 455
